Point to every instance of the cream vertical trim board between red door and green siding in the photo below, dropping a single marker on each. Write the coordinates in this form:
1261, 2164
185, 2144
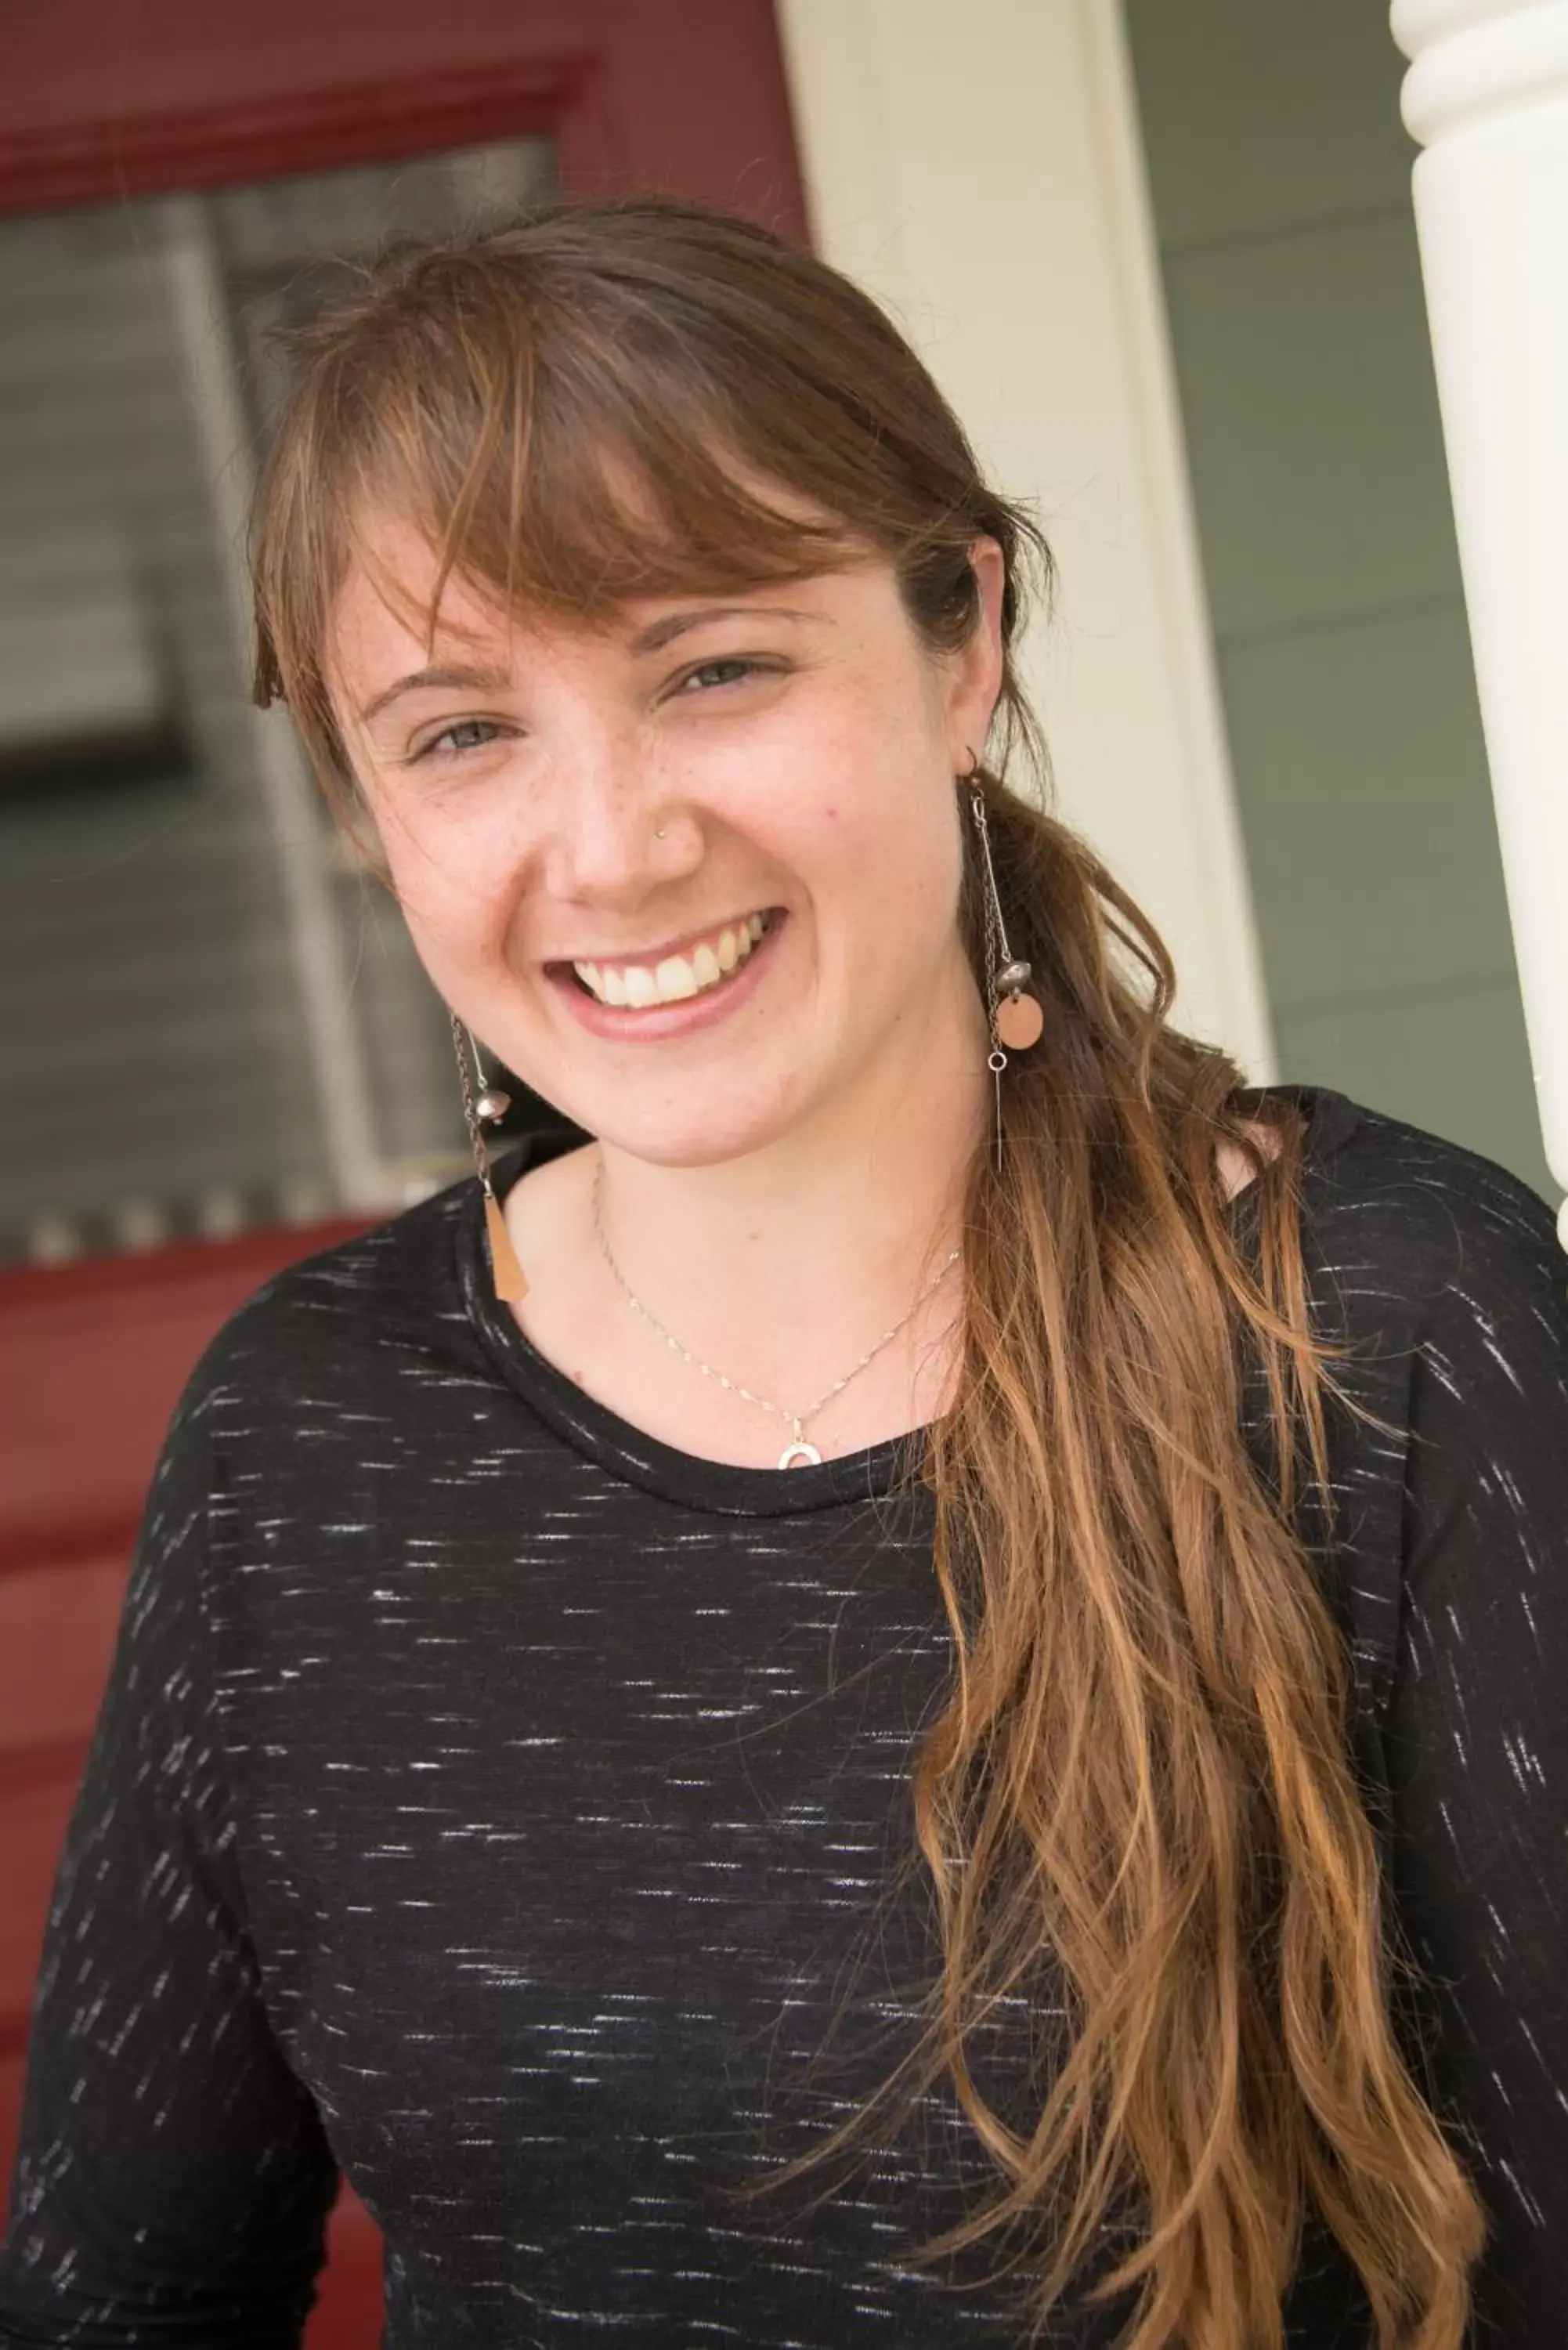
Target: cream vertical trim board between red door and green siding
979, 168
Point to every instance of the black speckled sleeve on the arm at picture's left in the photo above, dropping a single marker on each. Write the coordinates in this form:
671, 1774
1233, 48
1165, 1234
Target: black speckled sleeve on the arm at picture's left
173, 2177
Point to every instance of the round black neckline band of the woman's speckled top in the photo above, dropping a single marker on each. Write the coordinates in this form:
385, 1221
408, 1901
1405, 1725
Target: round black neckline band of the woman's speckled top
723, 1489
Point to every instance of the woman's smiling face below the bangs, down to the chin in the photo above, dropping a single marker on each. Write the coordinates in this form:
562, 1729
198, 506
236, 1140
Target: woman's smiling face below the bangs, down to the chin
692, 875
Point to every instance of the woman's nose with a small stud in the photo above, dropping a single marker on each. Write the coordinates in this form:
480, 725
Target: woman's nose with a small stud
615, 828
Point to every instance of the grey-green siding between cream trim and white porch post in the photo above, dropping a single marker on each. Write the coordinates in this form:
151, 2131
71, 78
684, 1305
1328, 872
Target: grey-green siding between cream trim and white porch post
1282, 203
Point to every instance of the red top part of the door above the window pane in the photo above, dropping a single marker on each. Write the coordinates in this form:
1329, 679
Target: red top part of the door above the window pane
130, 98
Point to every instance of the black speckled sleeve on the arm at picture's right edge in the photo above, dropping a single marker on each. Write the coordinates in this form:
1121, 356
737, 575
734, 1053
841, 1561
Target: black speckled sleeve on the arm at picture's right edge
1477, 1738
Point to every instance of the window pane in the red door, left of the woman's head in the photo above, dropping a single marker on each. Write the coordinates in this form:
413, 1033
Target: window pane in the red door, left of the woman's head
168, 1061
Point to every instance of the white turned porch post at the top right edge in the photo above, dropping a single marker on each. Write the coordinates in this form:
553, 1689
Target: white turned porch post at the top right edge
1487, 95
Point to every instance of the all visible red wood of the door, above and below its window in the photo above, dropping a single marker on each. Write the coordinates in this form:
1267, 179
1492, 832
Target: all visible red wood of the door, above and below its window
105, 100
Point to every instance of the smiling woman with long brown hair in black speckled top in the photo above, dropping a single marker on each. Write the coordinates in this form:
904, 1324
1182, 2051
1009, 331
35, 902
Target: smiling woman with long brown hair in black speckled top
902, 1688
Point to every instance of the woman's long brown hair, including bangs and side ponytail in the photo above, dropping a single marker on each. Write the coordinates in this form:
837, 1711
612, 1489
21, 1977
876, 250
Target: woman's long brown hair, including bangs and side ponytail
1144, 1771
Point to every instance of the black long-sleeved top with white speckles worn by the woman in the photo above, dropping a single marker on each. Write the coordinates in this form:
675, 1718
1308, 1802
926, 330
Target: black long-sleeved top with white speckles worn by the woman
500, 1806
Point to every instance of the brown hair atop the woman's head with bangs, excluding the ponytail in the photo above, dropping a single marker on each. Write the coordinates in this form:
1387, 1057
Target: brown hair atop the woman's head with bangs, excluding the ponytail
601, 405
